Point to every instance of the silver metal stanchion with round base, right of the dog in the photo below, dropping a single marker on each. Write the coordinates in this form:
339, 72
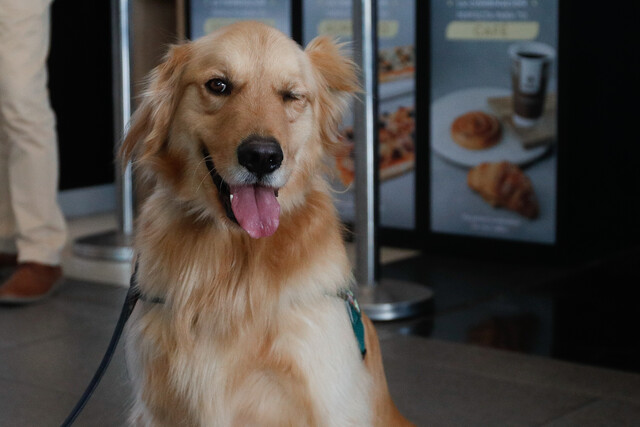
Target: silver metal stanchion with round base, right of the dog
381, 299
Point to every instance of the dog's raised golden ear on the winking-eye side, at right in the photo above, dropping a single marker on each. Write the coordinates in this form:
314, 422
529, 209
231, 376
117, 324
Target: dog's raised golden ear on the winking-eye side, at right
337, 79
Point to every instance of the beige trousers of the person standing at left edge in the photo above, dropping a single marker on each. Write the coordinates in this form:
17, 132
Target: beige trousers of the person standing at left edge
31, 221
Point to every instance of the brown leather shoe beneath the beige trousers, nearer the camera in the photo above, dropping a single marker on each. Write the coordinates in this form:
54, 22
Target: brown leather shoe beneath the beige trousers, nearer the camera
31, 282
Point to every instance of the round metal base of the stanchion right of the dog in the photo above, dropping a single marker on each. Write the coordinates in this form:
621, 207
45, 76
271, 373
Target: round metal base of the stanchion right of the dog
392, 299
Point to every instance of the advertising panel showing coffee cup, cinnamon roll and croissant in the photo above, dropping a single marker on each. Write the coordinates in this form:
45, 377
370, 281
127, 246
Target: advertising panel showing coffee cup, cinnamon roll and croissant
493, 118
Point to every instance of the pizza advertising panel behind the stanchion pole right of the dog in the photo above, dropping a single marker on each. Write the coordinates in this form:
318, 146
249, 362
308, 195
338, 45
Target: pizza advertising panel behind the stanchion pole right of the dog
396, 103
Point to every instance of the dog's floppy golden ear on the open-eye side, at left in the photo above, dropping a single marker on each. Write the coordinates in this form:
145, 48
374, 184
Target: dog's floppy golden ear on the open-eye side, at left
150, 123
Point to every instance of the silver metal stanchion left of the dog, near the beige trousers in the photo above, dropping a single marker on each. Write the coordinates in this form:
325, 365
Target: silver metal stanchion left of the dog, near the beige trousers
116, 245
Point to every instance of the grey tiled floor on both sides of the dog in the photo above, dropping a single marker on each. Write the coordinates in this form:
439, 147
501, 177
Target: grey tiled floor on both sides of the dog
48, 353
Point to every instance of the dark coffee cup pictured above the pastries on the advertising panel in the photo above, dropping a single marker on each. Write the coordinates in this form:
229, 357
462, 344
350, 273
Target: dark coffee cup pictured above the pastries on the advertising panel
530, 68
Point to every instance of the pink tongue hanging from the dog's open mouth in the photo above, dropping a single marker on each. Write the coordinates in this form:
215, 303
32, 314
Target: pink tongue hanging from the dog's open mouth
256, 209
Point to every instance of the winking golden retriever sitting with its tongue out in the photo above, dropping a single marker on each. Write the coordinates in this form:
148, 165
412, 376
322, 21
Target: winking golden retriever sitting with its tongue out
241, 258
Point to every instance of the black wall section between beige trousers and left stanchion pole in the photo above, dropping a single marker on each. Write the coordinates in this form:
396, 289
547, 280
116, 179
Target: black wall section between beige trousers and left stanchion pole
81, 91
